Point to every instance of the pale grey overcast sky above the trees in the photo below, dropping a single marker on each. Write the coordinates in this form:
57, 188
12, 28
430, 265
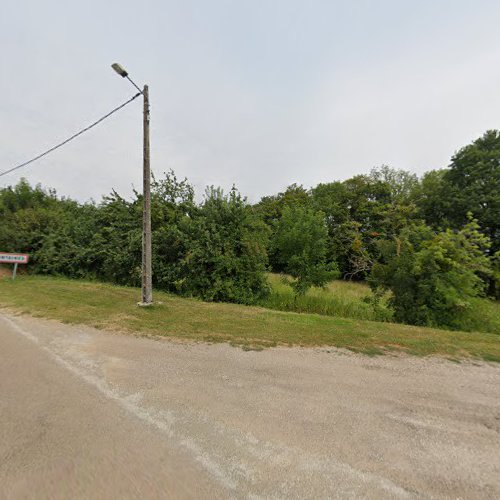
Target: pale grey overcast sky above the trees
256, 93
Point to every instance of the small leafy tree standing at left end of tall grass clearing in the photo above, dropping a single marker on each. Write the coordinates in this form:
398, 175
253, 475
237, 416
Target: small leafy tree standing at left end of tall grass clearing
300, 245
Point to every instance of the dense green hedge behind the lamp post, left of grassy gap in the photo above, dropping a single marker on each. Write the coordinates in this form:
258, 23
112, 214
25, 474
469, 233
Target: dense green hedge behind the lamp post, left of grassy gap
216, 251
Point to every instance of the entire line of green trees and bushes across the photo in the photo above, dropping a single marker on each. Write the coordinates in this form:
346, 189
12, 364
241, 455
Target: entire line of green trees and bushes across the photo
432, 242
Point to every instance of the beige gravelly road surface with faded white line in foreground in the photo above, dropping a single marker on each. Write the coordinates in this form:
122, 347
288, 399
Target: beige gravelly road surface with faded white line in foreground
91, 414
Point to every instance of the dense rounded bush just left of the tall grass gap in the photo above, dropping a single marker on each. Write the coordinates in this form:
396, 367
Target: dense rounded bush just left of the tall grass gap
226, 256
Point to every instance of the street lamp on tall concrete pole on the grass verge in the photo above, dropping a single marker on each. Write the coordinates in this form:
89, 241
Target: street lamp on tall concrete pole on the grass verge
147, 284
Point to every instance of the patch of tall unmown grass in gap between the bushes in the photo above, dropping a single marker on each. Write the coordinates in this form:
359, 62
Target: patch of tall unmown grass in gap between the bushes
339, 298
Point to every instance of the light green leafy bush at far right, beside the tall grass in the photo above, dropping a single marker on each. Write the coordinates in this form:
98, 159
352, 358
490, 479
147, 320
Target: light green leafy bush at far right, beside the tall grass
432, 276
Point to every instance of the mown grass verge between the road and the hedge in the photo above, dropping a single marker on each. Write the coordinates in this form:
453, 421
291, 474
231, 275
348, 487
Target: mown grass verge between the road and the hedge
114, 308
